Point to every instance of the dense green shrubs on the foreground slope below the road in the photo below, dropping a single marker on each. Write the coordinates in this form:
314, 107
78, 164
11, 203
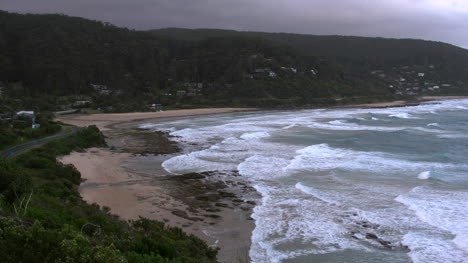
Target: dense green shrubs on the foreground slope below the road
44, 219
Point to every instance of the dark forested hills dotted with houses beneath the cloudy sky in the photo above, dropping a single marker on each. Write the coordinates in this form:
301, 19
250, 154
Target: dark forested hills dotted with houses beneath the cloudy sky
49, 62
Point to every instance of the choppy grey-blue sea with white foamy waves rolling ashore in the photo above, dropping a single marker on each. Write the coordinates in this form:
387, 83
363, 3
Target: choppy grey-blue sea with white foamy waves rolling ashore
343, 185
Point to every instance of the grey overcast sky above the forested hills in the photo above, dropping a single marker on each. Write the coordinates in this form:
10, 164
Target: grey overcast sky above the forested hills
441, 20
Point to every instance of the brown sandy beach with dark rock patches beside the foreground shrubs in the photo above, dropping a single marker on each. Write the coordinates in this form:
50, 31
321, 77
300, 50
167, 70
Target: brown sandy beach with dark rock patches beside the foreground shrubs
214, 206
